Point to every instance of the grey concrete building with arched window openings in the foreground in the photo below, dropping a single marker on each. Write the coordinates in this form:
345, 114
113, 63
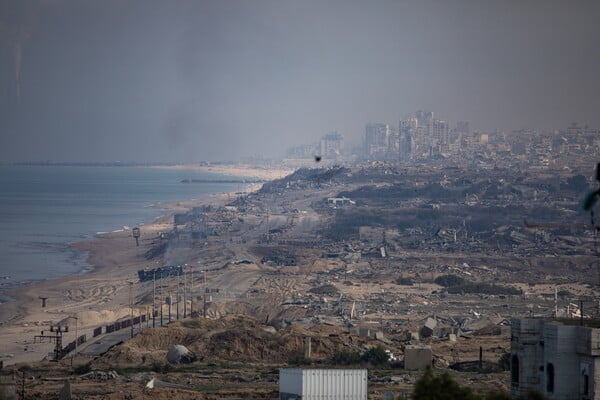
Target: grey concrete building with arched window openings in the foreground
560, 361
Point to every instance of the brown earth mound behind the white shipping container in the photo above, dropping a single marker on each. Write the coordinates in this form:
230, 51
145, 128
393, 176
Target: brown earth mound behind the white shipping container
232, 338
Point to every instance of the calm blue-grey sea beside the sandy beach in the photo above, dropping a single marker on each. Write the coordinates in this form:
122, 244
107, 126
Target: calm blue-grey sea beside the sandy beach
43, 208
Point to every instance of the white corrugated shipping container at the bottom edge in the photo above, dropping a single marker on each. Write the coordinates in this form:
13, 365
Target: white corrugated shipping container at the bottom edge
322, 384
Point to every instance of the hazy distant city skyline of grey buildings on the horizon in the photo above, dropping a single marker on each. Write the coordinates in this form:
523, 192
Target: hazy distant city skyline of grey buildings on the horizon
422, 137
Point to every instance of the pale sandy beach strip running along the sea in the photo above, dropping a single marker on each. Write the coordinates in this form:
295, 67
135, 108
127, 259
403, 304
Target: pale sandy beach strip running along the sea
100, 296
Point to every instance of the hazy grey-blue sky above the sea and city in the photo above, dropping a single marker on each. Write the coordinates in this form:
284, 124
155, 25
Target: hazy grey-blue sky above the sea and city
145, 80
